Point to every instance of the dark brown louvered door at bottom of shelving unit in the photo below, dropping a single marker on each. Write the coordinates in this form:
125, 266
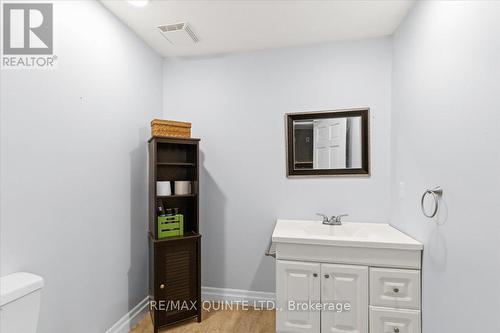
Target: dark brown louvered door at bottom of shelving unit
177, 288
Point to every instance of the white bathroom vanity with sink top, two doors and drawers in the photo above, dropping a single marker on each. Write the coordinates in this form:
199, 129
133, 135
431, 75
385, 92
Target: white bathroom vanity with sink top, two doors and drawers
371, 270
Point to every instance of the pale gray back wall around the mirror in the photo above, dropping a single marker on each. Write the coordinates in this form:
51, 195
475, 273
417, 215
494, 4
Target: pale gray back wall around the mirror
237, 105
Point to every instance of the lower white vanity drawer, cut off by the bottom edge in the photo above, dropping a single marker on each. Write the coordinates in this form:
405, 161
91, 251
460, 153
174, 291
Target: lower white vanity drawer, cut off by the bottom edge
383, 320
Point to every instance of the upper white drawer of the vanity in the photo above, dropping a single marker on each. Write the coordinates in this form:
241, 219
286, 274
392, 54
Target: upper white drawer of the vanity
395, 288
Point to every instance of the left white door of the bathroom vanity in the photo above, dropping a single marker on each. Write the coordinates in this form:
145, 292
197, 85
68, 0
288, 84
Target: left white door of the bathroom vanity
297, 283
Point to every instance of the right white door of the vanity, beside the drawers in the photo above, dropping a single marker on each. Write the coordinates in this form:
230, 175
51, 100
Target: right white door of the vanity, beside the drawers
344, 284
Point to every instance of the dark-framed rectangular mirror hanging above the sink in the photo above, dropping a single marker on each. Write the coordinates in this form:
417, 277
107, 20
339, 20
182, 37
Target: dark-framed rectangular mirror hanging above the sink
328, 143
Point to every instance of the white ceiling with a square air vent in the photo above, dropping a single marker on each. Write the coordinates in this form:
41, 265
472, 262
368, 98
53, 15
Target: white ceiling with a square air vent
225, 26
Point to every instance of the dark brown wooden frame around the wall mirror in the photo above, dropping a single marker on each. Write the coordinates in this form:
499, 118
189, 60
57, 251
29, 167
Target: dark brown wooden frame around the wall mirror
364, 113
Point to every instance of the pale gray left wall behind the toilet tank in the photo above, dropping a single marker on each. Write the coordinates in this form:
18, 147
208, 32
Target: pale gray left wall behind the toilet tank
73, 169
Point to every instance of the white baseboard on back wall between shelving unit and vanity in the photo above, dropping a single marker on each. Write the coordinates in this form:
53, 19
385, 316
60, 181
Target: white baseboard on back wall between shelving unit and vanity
235, 295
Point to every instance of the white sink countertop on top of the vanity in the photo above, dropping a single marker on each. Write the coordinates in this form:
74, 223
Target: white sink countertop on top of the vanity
374, 235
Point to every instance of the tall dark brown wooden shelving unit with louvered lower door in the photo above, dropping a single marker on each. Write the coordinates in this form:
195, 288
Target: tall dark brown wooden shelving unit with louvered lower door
175, 261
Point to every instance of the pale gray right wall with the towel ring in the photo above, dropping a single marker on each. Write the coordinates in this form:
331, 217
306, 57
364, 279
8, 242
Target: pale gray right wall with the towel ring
446, 132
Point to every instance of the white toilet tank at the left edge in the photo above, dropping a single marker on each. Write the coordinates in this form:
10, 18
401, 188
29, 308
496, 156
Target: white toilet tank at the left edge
20, 295
